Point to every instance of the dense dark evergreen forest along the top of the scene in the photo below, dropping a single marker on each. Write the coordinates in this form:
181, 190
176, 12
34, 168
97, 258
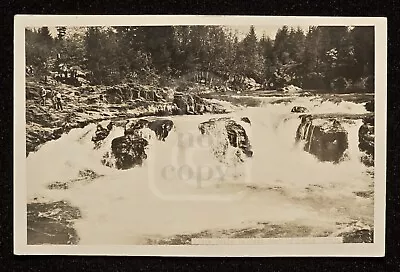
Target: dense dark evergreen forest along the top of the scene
324, 57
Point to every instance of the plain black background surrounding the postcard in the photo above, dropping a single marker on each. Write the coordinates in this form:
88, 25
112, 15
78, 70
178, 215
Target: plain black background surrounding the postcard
389, 9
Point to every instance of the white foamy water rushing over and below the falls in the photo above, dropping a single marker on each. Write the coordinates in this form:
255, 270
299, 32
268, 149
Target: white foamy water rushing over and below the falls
183, 188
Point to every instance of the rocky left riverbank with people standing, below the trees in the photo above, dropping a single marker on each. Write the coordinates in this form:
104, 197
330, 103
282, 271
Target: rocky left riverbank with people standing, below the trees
92, 104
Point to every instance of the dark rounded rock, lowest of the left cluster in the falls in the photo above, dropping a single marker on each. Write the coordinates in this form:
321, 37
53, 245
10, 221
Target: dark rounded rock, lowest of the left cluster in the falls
126, 152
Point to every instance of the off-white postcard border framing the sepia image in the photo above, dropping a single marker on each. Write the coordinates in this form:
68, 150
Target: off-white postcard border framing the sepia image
376, 249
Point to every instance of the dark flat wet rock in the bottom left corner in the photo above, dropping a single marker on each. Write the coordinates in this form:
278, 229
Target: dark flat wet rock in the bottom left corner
52, 223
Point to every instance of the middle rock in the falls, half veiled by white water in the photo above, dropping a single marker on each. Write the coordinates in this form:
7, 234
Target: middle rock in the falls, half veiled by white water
227, 132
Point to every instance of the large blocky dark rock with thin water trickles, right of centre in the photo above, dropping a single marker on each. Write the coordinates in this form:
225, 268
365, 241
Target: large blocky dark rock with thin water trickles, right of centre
324, 138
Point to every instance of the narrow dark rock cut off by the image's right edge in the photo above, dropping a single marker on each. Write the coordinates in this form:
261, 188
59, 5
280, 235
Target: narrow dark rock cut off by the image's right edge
366, 138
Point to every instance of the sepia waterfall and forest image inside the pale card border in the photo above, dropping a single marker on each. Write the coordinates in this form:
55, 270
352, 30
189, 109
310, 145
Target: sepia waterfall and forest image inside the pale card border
206, 134
